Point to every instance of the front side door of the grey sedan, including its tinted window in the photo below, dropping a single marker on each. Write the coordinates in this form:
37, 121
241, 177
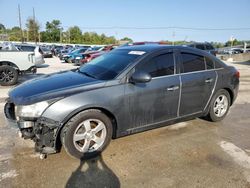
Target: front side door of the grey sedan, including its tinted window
155, 101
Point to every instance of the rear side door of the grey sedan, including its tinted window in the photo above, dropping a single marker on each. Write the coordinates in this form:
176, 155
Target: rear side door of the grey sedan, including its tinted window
198, 79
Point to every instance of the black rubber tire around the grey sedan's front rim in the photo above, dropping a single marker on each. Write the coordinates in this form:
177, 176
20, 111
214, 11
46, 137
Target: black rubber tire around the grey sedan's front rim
69, 129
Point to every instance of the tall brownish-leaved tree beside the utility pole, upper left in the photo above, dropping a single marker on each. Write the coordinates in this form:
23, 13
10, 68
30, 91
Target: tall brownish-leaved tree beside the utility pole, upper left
33, 29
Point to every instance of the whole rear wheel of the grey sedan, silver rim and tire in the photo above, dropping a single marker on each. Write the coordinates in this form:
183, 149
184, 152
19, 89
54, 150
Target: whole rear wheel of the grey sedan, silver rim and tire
219, 105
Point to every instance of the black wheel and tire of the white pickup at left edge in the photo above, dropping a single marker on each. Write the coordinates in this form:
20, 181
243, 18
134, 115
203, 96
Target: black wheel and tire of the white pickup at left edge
8, 75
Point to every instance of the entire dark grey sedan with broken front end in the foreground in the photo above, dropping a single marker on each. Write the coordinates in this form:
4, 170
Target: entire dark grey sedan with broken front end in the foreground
128, 90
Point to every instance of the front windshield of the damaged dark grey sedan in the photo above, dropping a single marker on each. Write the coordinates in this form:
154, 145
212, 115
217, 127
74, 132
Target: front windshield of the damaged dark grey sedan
109, 65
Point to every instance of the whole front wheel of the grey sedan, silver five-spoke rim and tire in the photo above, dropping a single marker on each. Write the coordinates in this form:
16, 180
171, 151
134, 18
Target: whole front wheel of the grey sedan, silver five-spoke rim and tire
87, 134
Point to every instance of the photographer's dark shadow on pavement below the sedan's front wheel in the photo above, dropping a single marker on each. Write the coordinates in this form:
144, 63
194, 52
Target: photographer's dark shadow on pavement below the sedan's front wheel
93, 173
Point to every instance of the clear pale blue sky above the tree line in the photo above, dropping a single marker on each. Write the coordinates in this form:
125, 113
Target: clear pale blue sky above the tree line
150, 17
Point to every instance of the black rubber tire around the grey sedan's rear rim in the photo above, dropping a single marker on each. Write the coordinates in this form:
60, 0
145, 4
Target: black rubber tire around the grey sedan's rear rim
212, 114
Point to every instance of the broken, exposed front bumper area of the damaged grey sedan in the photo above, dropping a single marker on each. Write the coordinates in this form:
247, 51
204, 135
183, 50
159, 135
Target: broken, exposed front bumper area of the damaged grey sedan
42, 131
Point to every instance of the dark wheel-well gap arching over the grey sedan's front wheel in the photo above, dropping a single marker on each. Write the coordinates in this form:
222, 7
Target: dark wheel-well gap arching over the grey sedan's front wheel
106, 112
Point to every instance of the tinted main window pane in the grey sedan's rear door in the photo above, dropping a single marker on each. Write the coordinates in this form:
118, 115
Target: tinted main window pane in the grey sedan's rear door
192, 62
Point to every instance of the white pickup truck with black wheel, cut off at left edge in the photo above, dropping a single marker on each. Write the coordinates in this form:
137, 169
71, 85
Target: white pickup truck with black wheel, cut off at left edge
14, 62
